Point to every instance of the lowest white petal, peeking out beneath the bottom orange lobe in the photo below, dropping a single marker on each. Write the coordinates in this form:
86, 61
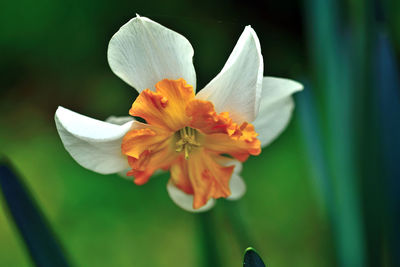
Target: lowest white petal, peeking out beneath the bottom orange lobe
185, 201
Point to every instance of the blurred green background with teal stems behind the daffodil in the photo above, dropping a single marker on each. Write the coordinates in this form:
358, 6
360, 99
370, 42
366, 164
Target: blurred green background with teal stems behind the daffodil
325, 193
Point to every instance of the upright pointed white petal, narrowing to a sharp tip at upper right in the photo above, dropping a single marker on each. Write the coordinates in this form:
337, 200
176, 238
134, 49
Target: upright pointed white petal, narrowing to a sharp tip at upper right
237, 88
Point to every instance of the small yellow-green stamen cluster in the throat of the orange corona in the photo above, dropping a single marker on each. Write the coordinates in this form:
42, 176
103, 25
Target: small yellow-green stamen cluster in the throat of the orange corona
187, 140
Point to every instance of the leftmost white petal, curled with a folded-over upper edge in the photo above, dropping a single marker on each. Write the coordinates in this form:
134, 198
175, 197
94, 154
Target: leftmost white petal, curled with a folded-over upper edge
94, 144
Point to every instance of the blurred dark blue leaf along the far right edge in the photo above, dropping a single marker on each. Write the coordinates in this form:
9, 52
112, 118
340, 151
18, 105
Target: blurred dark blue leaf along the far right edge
387, 101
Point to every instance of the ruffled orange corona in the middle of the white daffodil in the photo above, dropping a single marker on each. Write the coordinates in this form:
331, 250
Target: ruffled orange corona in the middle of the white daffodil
186, 136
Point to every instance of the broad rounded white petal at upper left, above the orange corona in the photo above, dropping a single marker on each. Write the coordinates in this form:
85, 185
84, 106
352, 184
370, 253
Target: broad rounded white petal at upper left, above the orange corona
144, 52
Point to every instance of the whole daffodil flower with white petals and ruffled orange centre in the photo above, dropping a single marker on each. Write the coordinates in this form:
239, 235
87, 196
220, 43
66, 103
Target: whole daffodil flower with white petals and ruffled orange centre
201, 139
